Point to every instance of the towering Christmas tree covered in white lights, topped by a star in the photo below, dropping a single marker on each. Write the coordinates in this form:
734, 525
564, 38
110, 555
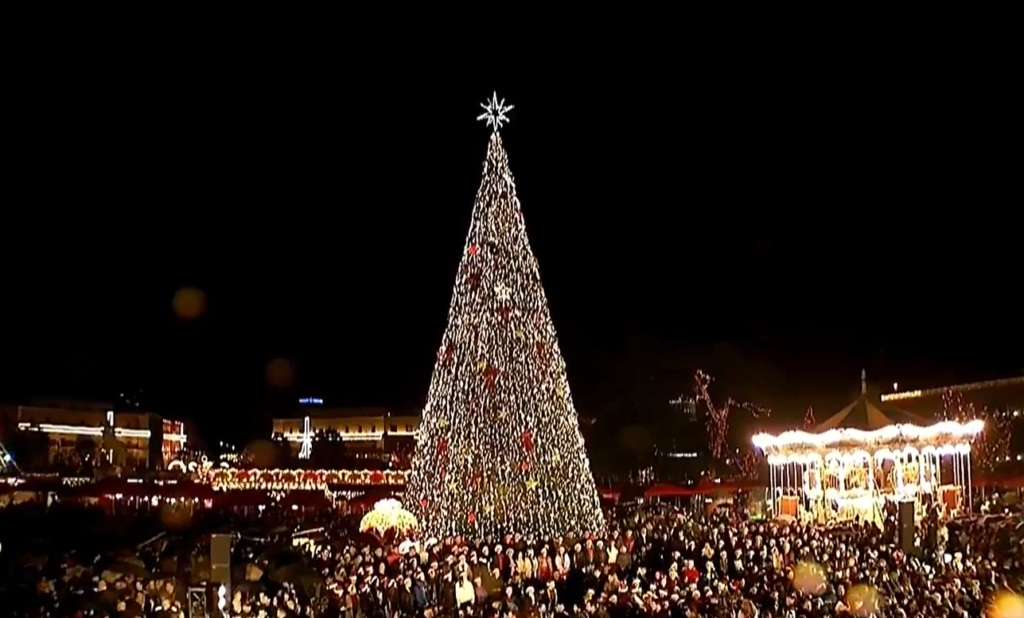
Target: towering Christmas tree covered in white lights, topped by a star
500, 450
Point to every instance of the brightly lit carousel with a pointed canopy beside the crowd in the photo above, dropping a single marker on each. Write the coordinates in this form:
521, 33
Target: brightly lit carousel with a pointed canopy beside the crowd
865, 459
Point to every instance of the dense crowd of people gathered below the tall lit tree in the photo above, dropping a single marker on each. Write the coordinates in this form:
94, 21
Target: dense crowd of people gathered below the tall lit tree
658, 561
